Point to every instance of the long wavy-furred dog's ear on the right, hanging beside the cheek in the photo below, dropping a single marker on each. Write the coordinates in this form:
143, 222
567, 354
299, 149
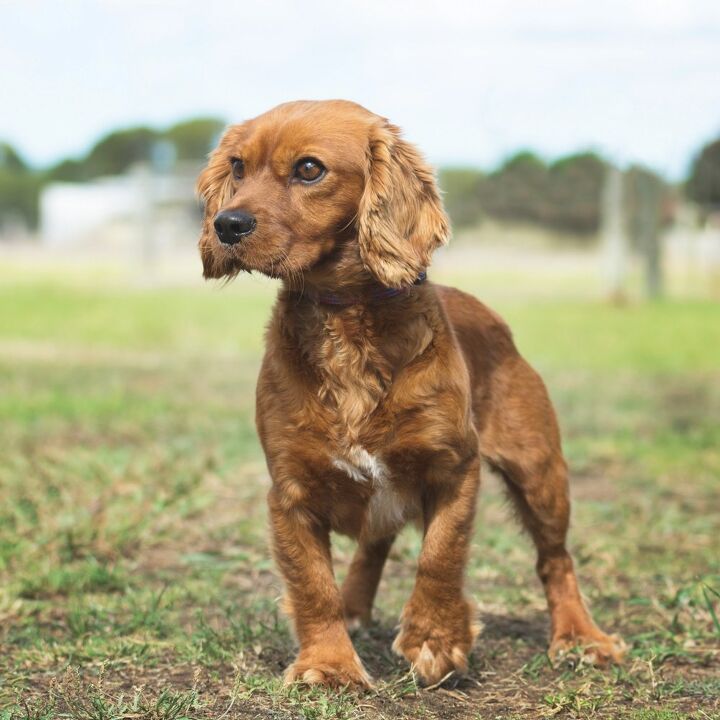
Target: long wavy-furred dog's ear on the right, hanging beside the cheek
401, 220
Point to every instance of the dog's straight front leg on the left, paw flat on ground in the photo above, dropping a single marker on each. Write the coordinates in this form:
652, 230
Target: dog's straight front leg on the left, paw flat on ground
302, 550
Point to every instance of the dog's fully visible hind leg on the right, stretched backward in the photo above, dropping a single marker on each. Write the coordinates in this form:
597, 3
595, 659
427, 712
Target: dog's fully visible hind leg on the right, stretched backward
522, 440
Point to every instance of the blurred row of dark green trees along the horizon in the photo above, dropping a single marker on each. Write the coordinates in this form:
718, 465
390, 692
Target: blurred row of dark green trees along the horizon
564, 195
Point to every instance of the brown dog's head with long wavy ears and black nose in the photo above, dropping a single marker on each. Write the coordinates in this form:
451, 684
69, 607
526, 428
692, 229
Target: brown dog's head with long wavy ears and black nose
310, 187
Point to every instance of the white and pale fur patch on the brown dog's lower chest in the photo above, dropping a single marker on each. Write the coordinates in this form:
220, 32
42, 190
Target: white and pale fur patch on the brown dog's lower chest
387, 509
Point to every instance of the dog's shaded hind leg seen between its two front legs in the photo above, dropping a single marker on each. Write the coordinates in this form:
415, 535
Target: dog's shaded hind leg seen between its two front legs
362, 580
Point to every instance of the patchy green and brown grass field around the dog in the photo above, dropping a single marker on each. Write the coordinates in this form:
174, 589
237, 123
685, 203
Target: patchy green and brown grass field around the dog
135, 575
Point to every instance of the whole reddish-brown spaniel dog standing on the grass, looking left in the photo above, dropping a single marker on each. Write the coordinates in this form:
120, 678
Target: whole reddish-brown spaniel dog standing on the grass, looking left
379, 393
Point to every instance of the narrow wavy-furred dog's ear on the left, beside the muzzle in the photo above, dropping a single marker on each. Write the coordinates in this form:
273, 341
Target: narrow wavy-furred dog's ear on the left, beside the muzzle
214, 186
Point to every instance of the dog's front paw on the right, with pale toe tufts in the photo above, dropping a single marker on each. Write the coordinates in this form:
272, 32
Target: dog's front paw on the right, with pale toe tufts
436, 643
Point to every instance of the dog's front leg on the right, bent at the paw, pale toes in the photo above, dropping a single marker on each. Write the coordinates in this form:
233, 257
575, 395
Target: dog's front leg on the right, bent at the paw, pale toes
437, 624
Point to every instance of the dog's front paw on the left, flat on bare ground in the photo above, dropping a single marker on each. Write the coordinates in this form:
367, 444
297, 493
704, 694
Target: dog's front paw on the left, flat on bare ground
326, 666
